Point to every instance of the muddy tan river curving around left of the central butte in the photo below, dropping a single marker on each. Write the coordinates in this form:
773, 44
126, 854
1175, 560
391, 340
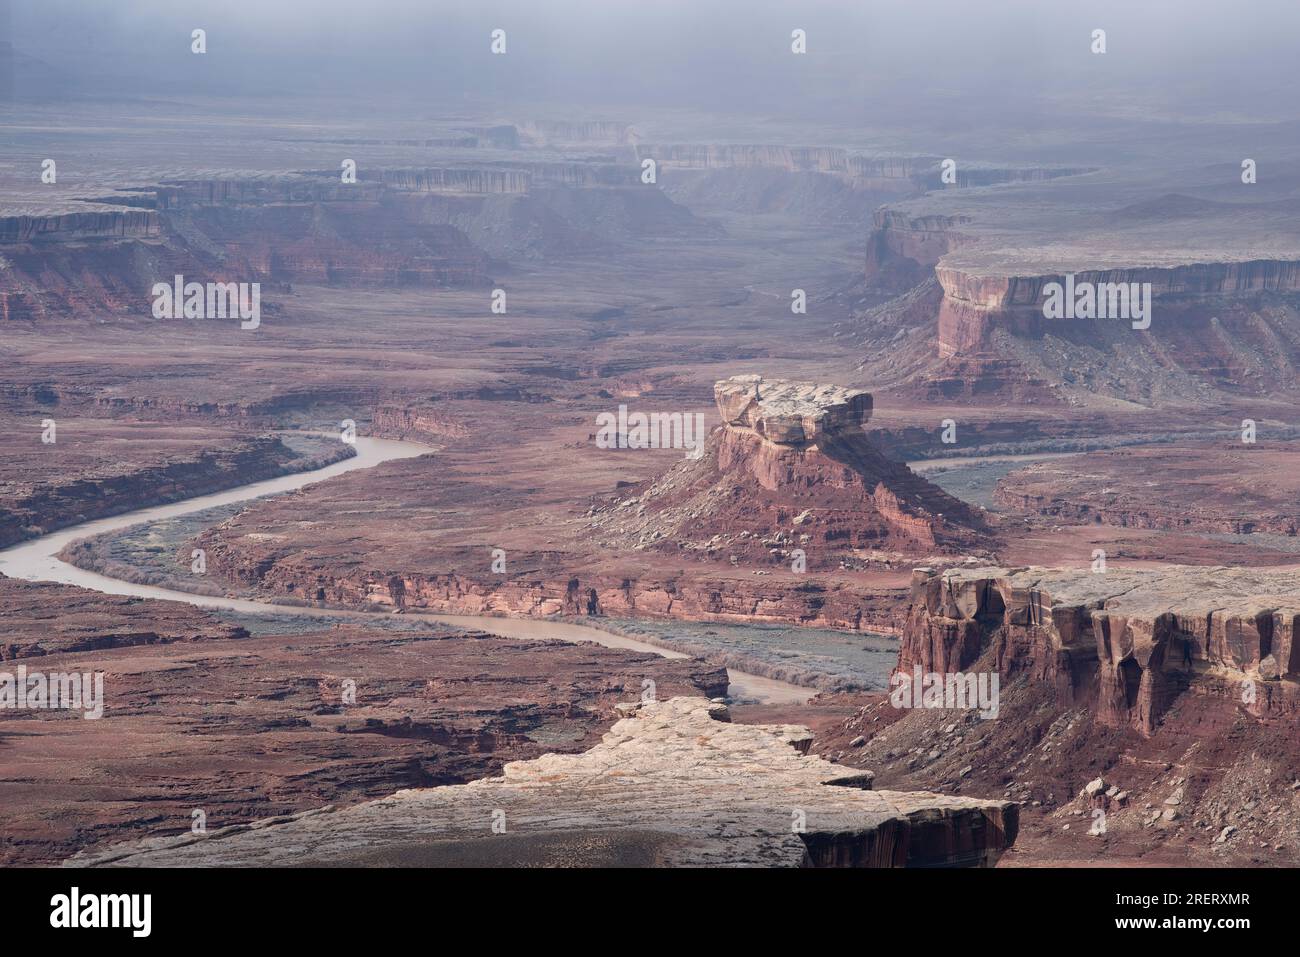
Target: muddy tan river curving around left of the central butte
38, 560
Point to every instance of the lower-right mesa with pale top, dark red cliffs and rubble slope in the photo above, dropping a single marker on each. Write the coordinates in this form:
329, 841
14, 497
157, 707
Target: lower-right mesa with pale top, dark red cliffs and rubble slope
1143, 717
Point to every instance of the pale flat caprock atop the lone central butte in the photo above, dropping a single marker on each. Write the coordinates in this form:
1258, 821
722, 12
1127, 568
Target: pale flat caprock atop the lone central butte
794, 414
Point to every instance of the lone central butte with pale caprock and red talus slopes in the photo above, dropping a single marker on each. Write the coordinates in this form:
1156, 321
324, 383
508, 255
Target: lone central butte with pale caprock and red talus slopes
792, 469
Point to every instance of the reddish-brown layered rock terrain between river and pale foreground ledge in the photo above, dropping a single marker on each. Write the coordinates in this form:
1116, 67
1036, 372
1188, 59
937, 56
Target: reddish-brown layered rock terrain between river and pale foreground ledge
281, 721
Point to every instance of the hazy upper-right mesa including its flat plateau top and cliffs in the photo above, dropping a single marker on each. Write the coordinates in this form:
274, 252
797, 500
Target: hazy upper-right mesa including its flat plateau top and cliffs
1223, 284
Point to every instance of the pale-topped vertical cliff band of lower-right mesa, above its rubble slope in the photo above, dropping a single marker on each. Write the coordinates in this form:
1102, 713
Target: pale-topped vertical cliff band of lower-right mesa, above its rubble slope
1125, 643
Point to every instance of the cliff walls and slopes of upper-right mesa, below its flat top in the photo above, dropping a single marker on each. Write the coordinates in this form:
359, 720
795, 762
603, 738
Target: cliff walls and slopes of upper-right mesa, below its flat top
1229, 326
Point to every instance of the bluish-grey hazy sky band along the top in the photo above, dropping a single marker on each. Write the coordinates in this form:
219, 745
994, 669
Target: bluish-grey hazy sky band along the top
690, 54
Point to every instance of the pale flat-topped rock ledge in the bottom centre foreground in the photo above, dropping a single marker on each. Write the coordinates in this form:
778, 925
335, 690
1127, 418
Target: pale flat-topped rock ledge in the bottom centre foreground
674, 783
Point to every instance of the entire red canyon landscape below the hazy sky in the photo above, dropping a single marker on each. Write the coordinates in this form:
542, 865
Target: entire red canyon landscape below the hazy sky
539, 484
